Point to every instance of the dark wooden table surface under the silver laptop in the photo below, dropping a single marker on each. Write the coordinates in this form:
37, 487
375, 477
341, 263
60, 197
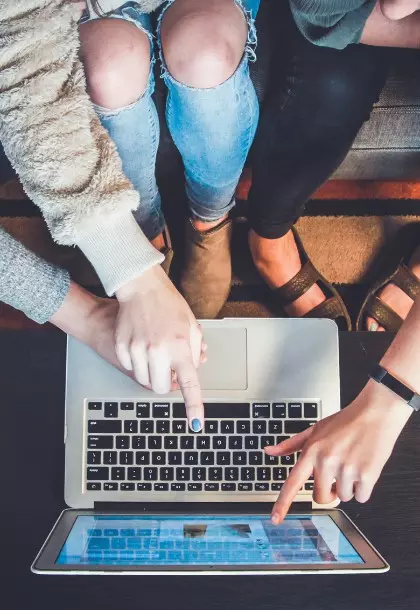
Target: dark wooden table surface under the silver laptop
32, 399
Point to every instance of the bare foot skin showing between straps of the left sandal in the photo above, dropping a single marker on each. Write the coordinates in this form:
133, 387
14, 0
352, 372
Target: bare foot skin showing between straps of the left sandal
278, 261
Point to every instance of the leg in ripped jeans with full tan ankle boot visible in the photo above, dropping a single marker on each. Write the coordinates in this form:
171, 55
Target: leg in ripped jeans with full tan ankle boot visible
212, 114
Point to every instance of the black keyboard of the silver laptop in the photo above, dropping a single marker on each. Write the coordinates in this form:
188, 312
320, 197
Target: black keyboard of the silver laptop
148, 446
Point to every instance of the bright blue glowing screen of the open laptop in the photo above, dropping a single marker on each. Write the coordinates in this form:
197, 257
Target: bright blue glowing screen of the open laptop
205, 540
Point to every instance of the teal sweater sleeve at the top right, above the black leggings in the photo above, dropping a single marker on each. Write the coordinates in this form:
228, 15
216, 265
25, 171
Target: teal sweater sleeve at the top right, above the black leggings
332, 23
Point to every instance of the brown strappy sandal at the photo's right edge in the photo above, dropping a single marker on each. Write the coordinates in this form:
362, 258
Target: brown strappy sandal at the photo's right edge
395, 270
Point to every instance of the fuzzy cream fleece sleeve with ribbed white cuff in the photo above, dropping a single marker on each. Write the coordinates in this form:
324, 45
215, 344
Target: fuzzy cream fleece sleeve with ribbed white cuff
65, 160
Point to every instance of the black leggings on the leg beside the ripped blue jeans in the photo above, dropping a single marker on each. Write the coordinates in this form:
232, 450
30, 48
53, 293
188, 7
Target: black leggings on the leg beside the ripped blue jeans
318, 100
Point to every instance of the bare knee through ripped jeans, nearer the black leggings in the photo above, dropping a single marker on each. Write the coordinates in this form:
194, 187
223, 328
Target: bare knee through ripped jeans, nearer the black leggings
203, 47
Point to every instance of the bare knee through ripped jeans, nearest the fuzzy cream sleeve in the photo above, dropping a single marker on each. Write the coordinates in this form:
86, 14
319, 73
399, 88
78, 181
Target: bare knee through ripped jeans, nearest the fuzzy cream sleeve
116, 56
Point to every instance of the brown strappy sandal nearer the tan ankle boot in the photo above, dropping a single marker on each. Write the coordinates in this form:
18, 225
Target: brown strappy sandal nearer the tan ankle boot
333, 308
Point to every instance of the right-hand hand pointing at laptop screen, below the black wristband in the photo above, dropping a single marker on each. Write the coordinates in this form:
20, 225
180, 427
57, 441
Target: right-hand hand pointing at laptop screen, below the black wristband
350, 447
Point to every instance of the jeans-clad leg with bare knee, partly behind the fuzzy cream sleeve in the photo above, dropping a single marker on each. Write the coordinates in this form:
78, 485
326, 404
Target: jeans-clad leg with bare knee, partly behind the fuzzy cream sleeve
116, 53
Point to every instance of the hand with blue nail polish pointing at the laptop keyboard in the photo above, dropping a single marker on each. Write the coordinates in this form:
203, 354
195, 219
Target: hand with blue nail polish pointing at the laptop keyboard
157, 336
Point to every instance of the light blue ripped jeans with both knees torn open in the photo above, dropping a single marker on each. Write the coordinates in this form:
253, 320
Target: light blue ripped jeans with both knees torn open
213, 130
